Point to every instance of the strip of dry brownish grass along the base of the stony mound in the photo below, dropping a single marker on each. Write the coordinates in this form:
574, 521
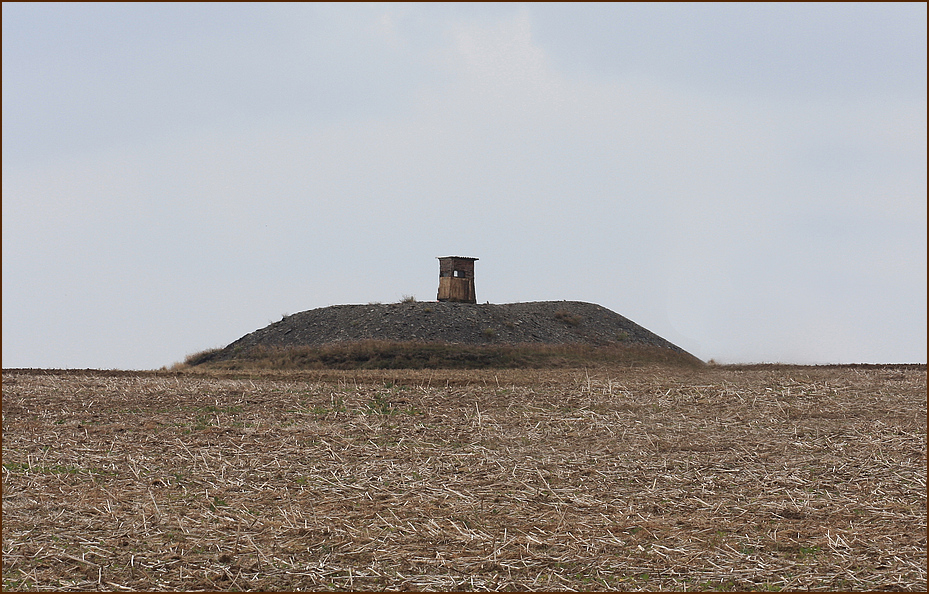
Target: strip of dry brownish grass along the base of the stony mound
373, 354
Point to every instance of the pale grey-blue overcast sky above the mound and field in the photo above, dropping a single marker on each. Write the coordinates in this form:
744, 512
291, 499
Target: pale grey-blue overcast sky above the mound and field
747, 181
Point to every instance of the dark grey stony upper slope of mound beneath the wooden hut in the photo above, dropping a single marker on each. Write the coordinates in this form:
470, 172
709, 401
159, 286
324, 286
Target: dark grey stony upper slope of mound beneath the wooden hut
543, 322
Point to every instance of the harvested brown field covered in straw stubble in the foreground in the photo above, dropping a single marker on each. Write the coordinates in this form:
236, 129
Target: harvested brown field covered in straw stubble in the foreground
650, 478
